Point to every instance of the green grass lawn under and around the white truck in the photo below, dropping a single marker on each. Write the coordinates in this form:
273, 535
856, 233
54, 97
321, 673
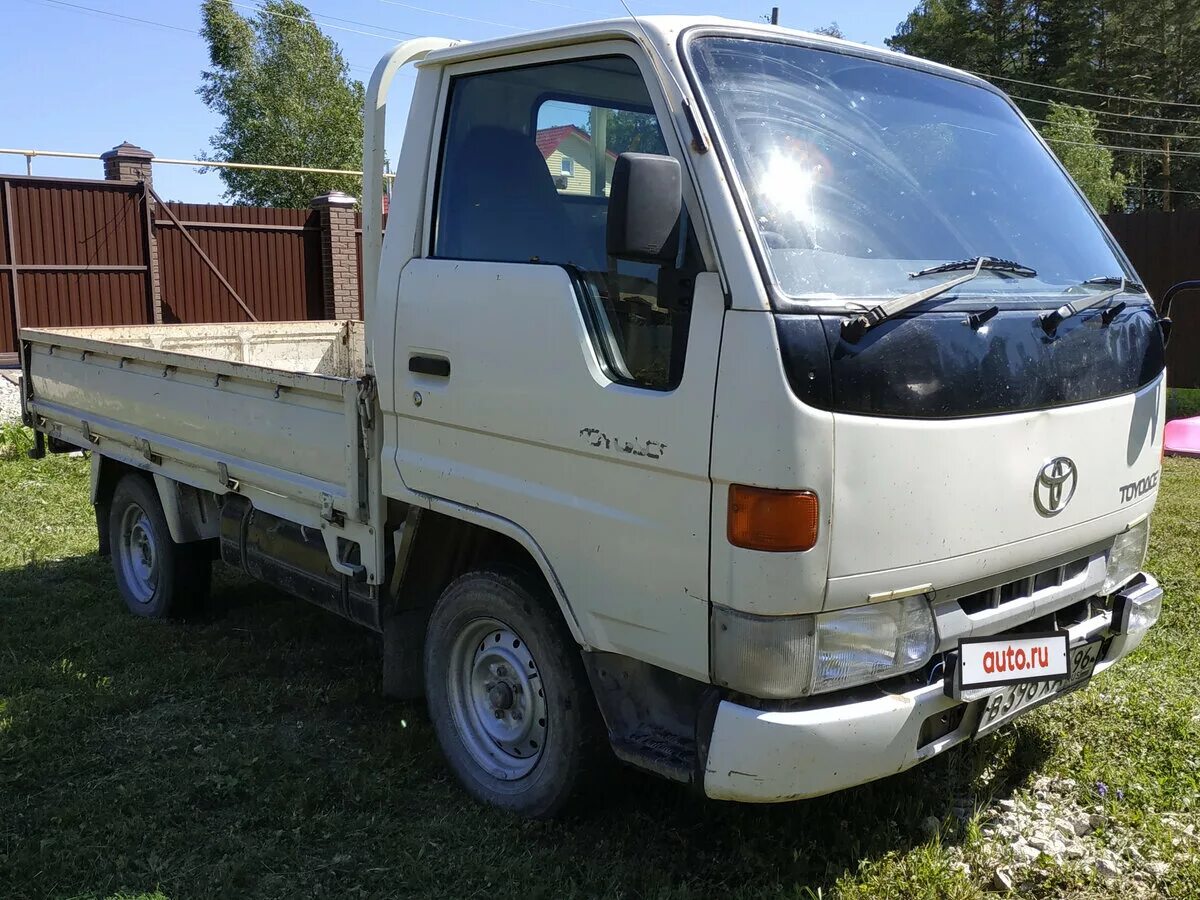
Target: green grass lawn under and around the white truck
250, 755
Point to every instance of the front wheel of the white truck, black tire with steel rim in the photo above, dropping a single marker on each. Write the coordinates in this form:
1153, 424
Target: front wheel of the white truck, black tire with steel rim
508, 695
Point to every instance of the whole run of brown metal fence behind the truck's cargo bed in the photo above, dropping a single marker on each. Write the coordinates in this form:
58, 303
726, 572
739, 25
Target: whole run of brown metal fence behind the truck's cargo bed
92, 253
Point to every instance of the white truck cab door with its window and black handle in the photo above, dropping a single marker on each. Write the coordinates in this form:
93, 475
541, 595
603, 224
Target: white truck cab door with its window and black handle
544, 383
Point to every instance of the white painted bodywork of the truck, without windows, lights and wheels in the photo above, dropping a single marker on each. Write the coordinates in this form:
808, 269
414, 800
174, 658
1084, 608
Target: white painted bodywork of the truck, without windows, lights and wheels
478, 393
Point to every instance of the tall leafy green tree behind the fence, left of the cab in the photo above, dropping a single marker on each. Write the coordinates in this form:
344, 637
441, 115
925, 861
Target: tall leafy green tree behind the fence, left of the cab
286, 99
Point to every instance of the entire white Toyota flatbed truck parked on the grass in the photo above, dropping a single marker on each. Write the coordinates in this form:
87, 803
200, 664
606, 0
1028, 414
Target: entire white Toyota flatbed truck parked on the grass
770, 409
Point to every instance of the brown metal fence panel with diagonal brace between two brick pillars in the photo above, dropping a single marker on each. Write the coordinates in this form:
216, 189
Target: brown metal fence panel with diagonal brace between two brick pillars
269, 257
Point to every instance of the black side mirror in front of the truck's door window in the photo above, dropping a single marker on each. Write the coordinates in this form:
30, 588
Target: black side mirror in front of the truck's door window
645, 205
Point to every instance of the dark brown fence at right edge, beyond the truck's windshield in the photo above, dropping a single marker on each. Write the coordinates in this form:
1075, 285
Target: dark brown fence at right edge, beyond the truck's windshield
1165, 249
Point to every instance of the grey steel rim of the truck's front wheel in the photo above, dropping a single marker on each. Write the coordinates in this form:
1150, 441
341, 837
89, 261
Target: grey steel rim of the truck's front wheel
497, 699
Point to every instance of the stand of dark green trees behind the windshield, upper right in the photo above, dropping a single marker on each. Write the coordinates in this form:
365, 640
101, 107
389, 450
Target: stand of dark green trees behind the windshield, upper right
1137, 64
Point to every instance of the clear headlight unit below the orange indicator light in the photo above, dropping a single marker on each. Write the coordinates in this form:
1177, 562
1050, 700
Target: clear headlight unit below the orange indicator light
783, 657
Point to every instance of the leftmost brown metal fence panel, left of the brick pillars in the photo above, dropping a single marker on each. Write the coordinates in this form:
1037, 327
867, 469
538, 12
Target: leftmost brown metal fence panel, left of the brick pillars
73, 253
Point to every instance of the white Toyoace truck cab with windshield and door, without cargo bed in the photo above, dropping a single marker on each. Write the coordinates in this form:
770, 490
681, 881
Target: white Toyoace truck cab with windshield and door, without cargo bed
730, 490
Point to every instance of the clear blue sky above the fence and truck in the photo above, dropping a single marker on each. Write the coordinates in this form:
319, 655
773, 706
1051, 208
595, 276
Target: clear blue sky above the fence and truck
82, 81
